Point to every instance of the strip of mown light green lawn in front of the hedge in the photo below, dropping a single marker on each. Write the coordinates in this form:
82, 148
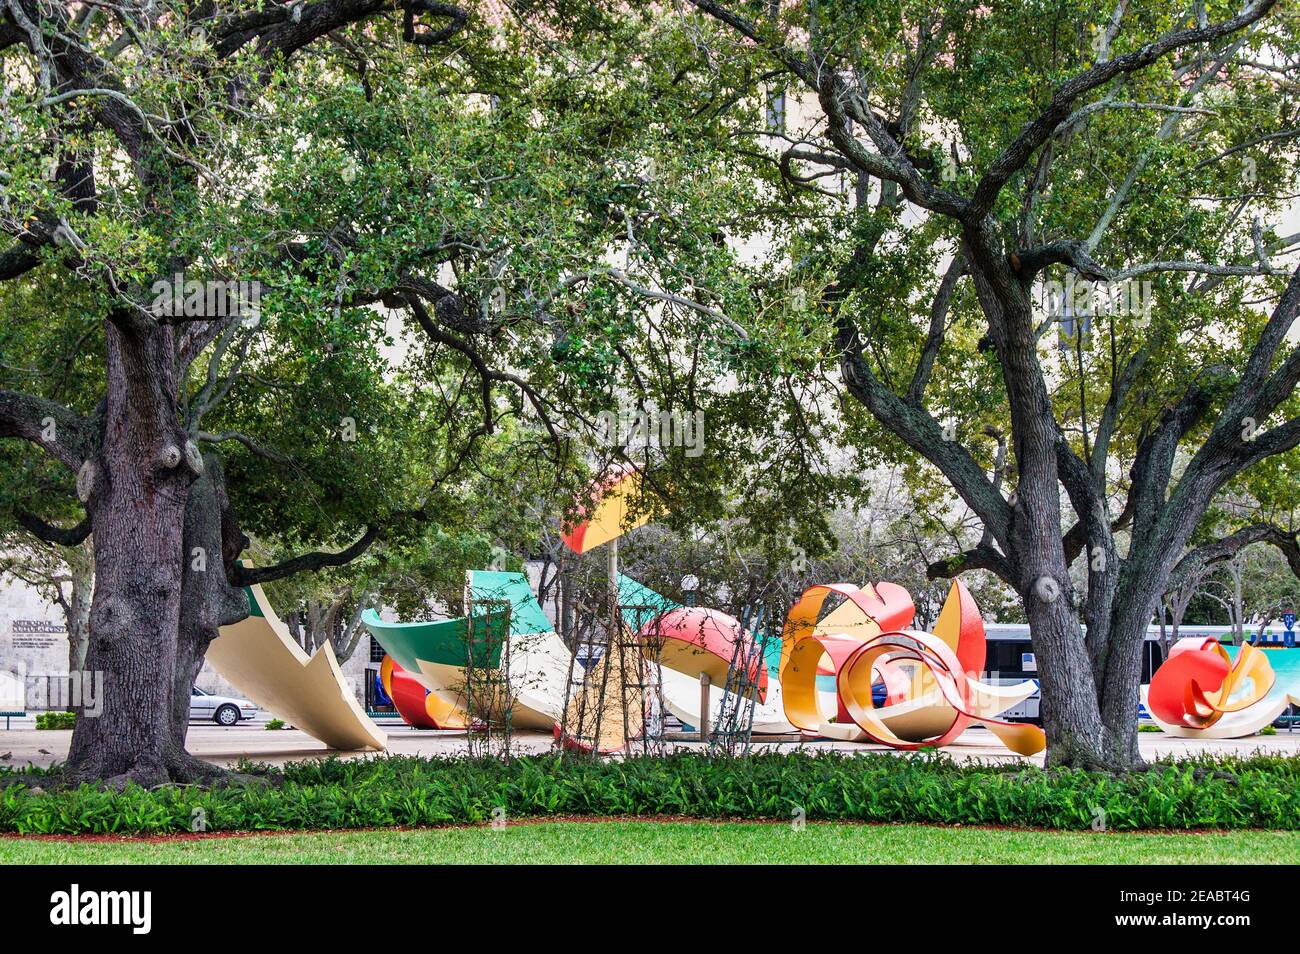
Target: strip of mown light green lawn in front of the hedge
639, 843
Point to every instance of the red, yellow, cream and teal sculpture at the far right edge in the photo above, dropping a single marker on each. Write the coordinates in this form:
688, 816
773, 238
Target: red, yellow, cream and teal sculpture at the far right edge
1208, 691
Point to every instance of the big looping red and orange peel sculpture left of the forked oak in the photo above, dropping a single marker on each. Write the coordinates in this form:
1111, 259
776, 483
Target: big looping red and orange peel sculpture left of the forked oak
931, 680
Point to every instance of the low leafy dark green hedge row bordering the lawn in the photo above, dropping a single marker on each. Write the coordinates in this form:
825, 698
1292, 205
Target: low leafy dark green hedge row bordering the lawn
1262, 792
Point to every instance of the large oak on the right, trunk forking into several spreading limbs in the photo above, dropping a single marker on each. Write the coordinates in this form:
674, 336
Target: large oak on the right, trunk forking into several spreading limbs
994, 149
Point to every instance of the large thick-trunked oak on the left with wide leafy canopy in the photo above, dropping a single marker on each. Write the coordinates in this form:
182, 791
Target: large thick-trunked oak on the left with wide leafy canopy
469, 237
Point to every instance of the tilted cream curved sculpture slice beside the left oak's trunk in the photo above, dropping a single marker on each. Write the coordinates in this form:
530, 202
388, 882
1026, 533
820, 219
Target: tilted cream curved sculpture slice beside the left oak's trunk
261, 660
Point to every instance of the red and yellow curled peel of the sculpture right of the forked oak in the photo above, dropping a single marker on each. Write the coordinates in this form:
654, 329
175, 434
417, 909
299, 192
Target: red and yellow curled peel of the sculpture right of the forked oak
1199, 684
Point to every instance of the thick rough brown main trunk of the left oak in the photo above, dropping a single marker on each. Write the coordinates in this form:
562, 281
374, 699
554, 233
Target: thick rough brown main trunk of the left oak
138, 488
